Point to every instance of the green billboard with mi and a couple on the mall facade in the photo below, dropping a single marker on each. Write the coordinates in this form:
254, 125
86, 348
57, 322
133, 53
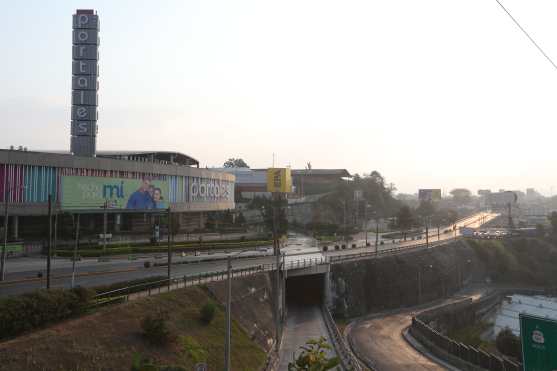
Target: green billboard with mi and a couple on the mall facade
80, 192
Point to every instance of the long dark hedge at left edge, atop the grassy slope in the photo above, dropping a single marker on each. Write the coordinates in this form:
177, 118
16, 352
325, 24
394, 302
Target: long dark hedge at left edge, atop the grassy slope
39, 308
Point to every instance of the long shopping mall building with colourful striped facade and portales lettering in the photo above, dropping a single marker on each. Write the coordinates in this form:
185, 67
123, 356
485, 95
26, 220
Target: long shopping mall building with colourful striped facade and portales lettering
107, 183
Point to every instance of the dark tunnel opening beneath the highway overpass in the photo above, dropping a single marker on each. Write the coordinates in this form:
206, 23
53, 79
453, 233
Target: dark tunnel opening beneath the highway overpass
305, 290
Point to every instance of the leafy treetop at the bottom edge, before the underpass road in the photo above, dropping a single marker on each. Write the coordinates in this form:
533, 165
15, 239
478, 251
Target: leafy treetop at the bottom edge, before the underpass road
313, 357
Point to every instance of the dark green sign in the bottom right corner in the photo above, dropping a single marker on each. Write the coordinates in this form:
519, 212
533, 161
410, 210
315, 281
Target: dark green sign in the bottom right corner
539, 343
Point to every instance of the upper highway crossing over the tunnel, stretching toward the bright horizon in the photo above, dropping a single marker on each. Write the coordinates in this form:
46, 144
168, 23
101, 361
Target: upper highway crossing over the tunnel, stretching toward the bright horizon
22, 272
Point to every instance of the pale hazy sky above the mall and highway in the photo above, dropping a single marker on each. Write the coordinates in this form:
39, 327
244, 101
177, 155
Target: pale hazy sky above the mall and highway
434, 93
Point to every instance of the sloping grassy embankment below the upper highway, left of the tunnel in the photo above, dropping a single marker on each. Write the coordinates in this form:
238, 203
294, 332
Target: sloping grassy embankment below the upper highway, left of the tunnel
110, 338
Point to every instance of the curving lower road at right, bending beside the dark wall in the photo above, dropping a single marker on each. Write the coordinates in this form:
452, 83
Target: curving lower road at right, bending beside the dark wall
378, 340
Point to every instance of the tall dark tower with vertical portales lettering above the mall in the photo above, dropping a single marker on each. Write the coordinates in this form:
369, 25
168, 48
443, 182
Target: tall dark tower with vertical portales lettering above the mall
85, 71
